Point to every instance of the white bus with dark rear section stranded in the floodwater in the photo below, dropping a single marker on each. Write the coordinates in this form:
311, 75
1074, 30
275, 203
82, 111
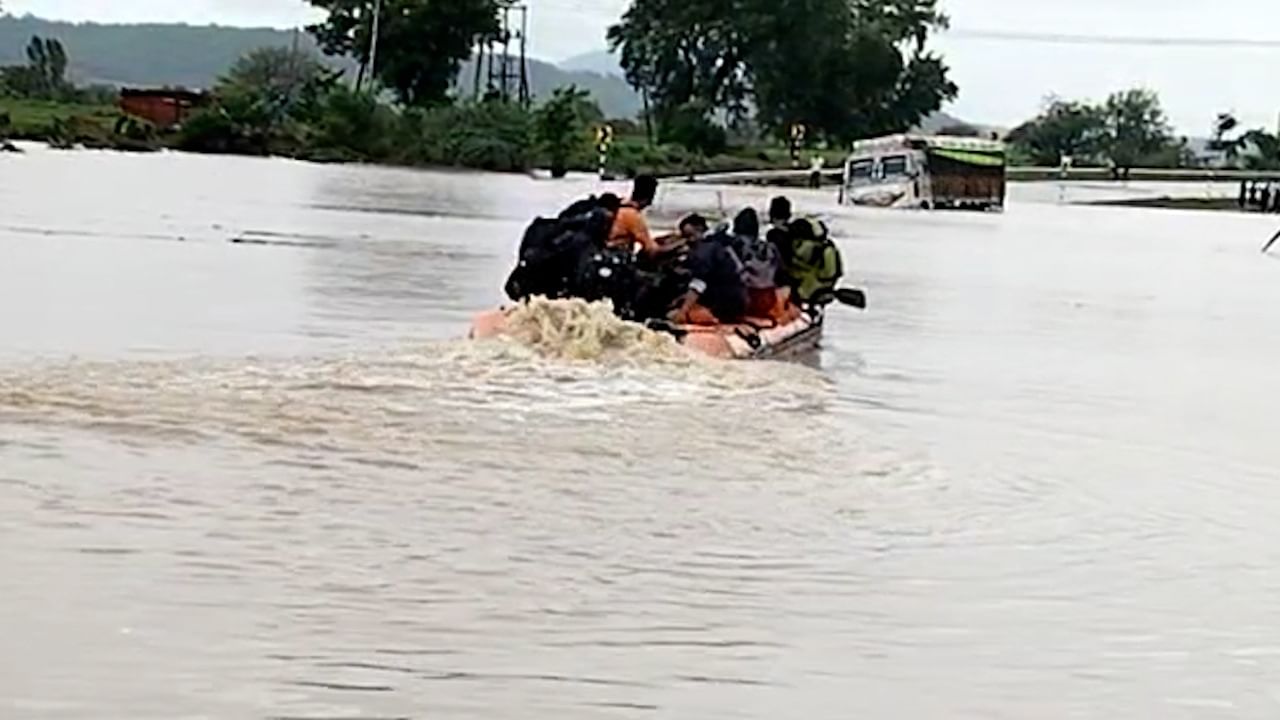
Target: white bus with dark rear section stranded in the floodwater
926, 172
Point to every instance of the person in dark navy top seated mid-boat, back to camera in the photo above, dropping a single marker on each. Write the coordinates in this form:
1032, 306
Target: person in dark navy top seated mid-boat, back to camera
717, 294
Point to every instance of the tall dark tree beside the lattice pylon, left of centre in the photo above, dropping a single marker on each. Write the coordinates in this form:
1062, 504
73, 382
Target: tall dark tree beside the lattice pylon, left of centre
422, 44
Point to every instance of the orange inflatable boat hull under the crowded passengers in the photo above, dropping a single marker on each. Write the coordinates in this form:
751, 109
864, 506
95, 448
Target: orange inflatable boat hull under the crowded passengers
755, 340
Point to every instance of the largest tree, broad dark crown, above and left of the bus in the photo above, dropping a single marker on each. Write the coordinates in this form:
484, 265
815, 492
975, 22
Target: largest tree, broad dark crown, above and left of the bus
844, 69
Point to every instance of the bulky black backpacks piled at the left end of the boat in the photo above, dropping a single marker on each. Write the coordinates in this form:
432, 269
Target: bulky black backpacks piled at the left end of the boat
552, 252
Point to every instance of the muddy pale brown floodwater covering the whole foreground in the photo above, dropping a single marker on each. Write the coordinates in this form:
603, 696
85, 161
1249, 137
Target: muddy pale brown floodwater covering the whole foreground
268, 479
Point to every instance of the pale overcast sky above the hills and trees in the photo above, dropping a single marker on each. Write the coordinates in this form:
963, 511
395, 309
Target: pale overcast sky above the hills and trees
1002, 81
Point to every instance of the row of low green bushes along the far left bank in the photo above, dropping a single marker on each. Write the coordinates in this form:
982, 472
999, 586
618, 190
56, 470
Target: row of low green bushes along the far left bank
278, 102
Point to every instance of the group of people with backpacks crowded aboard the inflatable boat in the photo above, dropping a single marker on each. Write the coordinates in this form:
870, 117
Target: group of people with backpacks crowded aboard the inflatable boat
604, 249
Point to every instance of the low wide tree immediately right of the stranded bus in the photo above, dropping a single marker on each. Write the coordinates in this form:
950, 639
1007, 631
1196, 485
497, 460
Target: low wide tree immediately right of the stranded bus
1066, 129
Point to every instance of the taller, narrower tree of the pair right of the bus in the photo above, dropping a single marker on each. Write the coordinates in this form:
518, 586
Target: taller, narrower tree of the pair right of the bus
1137, 131
